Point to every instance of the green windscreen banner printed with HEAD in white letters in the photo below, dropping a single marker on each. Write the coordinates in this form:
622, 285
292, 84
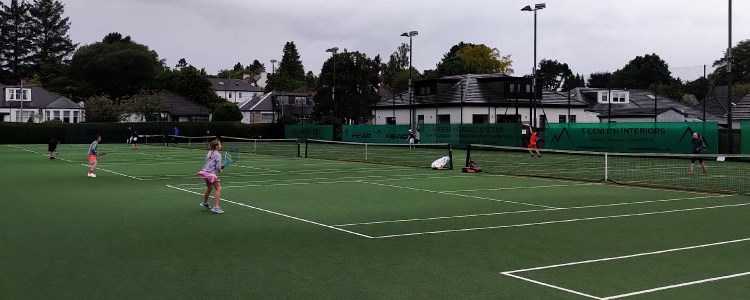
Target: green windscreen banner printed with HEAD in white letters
384, 134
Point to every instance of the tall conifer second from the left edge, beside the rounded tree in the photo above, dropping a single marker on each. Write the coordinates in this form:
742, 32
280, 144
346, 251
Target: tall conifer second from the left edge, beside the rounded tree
49, 31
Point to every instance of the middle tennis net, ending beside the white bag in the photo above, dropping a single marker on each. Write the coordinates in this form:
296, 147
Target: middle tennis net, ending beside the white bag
418, 155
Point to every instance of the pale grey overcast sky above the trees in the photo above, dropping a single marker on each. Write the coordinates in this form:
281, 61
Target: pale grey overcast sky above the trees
589, 35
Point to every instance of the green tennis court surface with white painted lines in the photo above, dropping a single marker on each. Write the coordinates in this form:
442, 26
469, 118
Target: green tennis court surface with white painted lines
310, 228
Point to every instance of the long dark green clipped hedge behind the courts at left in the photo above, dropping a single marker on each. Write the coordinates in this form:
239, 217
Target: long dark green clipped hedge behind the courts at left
23, 133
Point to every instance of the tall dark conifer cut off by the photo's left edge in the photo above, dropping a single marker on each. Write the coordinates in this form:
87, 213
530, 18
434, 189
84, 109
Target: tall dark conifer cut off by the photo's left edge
16, 54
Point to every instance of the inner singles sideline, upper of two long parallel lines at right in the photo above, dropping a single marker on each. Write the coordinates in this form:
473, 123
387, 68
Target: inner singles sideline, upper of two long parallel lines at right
533, 210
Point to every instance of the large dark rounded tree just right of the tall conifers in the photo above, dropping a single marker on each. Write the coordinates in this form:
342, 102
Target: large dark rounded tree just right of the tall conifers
116, 66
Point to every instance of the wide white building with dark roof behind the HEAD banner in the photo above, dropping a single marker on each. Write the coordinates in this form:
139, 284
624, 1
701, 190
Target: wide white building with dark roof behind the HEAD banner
479, 98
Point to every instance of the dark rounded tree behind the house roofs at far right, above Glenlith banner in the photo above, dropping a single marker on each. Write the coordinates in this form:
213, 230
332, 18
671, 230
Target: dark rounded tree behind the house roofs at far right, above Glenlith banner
642, 72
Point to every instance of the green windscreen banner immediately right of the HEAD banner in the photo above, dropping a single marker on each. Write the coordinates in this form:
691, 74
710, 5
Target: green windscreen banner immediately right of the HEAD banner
499, 134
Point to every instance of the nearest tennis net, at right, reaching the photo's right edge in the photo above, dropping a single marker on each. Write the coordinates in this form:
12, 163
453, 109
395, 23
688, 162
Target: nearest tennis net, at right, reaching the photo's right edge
725, 173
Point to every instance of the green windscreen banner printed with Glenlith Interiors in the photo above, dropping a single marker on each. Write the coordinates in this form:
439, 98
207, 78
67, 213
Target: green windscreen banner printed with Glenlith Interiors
646, 137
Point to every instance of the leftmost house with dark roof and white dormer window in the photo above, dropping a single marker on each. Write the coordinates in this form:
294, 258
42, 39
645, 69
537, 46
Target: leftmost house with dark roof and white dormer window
38, 105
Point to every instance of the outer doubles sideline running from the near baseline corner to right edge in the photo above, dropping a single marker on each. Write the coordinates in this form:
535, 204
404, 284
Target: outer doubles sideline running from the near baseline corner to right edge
559, 221
